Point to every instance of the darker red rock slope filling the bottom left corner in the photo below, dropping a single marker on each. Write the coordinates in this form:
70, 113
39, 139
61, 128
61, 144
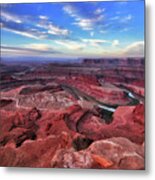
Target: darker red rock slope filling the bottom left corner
36, 153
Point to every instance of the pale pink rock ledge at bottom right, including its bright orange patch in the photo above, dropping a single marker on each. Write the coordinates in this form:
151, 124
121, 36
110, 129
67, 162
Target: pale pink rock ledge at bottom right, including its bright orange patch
114, 153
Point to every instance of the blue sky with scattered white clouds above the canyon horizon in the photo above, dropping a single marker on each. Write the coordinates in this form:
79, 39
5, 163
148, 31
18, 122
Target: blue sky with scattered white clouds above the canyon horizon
73, 30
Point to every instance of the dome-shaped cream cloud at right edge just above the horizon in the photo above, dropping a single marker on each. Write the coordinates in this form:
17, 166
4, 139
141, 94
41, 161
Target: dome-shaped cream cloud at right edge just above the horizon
135, 49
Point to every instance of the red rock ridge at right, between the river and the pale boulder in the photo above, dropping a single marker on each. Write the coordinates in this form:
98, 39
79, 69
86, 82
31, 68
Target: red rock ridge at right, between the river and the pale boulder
124, 124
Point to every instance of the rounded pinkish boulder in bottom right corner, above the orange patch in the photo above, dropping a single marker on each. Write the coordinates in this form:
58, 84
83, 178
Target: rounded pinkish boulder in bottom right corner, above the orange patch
122, 152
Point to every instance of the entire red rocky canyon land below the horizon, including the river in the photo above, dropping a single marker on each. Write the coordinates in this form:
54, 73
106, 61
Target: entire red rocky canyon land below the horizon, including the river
69, 120
